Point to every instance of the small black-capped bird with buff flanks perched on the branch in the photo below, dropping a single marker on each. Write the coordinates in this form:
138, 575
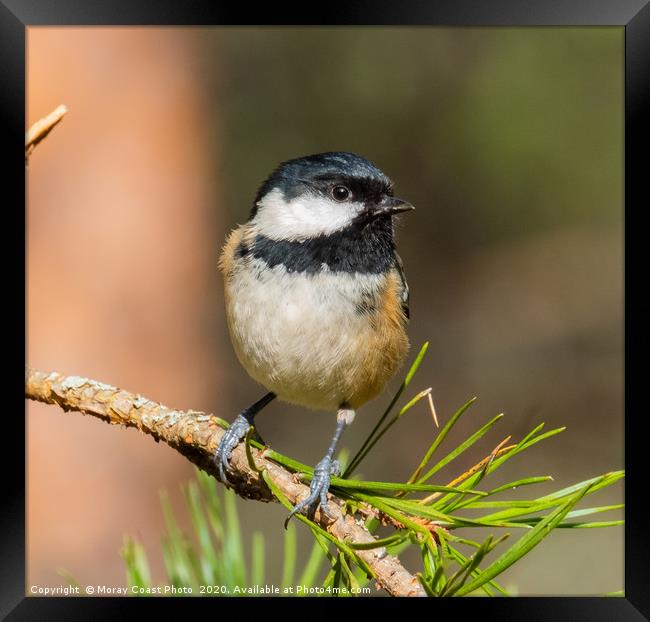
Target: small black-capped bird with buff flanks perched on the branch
316, 298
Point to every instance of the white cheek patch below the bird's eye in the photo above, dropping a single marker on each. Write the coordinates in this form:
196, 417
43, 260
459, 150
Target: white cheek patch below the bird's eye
303, 217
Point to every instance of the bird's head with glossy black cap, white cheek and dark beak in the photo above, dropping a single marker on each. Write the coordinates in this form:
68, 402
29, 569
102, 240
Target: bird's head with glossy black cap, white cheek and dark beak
323, 193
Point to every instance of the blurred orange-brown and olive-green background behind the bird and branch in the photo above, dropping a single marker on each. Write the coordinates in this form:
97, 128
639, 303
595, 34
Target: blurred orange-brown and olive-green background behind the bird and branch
508, 141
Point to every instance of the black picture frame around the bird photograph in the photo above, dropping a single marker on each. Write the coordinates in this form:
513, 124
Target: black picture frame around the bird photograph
633, 15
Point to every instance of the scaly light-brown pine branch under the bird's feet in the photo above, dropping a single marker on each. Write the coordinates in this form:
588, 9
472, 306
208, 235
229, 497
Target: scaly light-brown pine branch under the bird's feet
196, 436
